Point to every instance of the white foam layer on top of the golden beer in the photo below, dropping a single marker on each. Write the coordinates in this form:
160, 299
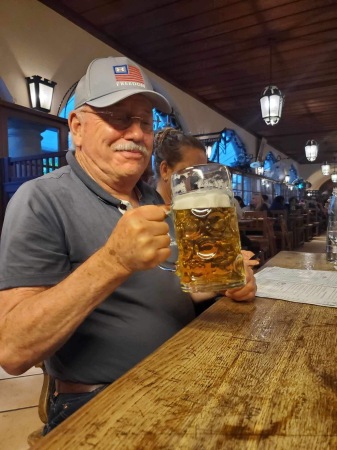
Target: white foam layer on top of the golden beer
202, 199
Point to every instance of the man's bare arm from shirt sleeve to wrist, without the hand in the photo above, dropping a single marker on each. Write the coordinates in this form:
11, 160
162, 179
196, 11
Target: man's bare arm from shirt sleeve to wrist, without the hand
35, 322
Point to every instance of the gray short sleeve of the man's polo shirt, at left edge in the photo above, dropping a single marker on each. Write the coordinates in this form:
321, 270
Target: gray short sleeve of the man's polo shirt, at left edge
33, 248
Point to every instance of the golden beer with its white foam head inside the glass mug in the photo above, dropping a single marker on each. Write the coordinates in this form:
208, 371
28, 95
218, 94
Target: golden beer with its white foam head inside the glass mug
208, 242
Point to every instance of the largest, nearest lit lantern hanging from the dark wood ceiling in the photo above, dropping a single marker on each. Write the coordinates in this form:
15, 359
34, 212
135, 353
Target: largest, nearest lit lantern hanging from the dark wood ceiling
271, 100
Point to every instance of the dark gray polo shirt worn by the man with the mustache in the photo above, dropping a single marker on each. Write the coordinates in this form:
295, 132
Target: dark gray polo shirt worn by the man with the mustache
52, 225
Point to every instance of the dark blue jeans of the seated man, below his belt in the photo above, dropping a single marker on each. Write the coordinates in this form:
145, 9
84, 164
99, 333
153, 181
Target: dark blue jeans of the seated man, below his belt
64, 405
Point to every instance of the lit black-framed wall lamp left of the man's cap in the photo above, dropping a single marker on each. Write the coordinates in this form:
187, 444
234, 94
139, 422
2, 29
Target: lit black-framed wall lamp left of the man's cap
40, 92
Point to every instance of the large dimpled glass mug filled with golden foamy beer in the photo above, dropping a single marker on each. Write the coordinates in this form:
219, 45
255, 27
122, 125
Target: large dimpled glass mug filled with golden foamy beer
206, 229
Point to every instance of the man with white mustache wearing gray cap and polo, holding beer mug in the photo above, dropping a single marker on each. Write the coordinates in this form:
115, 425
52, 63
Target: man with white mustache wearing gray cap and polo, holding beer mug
81, 286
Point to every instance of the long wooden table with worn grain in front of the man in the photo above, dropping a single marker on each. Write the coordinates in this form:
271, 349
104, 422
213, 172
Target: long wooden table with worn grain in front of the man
259, 375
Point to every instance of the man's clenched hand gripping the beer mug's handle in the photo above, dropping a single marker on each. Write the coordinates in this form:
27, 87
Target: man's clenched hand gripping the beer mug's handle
140, 240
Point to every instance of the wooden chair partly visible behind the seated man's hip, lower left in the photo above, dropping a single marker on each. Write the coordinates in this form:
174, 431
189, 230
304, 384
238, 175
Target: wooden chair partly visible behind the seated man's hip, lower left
48, 388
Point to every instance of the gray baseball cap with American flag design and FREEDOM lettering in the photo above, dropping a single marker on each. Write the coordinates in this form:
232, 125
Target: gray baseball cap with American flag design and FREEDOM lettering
110, 80
